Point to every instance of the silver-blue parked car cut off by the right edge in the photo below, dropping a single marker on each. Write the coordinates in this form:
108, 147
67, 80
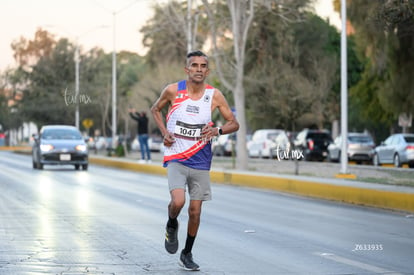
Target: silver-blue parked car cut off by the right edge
397, 149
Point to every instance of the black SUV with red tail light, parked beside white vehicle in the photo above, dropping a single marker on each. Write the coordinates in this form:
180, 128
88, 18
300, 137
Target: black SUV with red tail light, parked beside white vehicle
313, 144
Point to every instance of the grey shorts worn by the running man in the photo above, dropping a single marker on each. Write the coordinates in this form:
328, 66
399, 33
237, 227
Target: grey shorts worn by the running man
198, 181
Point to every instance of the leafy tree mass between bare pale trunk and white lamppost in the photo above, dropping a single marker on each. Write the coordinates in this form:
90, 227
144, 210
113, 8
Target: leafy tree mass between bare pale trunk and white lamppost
293, 72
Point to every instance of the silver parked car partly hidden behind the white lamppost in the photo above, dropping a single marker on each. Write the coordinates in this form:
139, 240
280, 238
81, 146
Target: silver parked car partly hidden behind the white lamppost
360, 148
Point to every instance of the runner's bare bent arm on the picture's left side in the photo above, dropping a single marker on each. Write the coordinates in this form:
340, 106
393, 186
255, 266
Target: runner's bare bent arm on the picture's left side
166, 98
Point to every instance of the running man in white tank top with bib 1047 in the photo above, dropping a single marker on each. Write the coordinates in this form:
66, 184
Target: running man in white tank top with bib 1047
187, 133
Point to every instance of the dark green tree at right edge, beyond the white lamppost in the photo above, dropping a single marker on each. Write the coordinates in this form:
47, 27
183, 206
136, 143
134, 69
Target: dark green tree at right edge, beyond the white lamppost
384, 32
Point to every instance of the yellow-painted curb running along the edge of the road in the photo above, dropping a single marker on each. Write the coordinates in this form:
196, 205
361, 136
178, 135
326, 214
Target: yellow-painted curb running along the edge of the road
310, 188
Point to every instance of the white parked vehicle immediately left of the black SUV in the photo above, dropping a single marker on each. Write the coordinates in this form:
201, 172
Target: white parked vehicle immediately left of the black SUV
265, 142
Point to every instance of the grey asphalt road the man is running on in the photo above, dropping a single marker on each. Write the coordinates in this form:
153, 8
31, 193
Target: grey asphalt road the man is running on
108, 221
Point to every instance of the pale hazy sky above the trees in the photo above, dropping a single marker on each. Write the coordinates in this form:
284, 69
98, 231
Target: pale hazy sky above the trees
90, 22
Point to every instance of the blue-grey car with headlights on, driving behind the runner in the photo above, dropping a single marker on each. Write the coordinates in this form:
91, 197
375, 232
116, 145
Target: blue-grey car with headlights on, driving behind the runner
59, 145
